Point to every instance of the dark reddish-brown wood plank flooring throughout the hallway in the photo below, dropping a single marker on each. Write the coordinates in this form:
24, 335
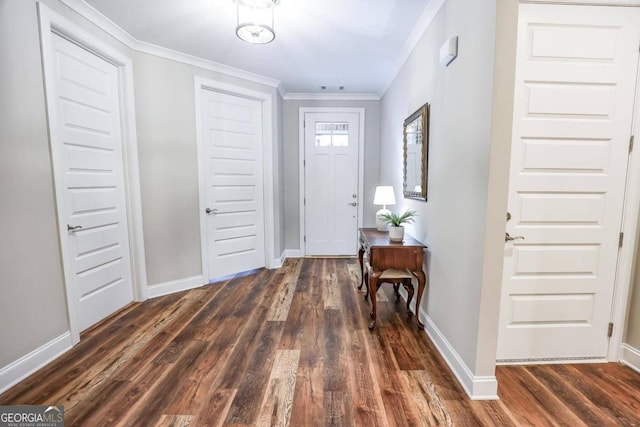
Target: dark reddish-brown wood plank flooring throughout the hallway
290, 347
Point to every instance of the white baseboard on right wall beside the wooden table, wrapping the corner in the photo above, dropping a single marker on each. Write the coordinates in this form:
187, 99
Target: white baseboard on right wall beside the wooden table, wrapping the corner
476, 387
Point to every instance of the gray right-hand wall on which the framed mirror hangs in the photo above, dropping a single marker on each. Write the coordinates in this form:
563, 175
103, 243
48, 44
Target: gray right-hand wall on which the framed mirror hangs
452, 222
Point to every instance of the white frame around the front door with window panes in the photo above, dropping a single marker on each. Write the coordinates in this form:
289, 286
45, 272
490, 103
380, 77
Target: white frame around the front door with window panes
301, 154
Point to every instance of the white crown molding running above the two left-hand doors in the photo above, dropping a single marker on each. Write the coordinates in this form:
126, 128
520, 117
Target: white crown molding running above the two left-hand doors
111, 28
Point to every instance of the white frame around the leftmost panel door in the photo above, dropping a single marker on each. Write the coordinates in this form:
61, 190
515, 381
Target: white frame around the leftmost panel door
52, 24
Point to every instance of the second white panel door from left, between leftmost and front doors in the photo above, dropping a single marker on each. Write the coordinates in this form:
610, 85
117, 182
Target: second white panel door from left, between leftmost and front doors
232, 135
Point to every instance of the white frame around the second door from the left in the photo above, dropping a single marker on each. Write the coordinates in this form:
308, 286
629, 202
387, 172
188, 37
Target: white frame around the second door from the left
266, 101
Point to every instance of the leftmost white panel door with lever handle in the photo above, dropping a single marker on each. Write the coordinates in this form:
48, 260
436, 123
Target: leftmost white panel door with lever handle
87, 140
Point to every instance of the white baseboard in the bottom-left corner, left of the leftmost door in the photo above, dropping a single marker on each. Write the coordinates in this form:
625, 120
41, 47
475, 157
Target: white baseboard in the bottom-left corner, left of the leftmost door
16, 371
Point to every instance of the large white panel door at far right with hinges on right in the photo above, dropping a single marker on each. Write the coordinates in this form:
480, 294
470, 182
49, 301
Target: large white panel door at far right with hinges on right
575, 83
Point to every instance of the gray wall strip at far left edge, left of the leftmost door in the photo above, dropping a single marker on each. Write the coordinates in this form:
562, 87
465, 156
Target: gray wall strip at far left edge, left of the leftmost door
32, 299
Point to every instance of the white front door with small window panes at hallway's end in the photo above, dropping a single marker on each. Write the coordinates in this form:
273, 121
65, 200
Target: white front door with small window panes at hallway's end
331, 183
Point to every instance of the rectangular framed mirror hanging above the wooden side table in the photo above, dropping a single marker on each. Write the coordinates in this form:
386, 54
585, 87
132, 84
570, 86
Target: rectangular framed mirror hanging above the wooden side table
416, 154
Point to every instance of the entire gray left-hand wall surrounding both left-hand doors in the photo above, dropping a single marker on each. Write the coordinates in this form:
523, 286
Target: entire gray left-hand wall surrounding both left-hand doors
32, 295
